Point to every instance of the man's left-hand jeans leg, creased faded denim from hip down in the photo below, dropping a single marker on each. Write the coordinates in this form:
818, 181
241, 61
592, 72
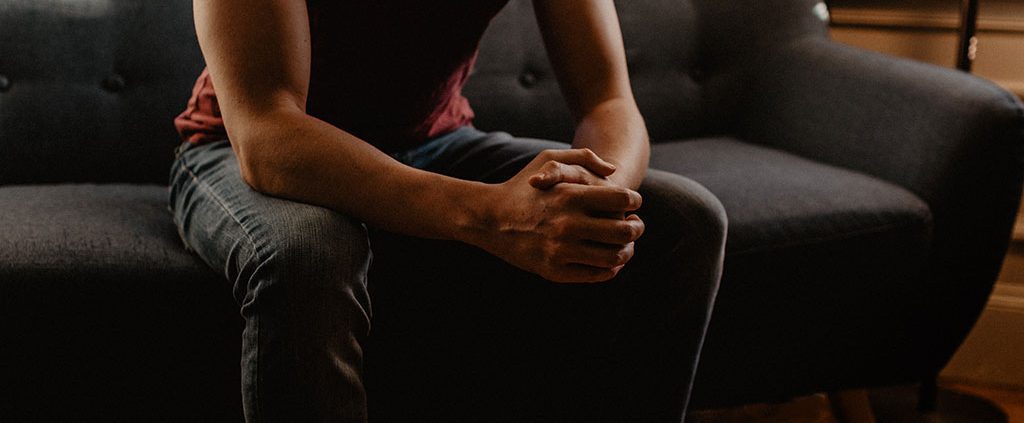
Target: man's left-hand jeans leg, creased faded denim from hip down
300, 274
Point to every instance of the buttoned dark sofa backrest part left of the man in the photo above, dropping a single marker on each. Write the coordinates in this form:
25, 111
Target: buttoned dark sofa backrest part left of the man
90, 89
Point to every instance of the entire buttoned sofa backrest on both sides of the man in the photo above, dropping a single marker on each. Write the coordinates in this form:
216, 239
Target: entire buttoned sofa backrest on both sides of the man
89, 89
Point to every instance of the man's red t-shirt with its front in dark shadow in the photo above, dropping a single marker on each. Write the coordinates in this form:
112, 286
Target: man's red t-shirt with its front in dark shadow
390, 72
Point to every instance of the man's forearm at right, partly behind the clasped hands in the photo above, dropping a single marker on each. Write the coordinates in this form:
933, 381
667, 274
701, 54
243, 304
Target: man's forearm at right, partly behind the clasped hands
616, 132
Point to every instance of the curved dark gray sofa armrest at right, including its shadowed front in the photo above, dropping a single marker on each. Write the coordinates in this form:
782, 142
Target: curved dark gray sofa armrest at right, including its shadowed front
952, 139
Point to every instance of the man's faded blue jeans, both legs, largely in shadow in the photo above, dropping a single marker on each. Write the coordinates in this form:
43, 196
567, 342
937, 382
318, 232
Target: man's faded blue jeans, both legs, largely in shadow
458, 335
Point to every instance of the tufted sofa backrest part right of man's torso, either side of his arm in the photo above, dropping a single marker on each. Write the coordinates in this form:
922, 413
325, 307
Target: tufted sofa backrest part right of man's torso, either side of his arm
690, 62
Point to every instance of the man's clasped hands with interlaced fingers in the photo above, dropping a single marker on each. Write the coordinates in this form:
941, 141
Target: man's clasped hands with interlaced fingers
566, 233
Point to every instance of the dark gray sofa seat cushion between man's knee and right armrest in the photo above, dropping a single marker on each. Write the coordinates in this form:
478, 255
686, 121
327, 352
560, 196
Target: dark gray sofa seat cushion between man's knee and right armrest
777, 200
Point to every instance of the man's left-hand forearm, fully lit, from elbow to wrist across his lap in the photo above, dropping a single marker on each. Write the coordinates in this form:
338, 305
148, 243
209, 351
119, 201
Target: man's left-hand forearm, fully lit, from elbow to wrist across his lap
300, 158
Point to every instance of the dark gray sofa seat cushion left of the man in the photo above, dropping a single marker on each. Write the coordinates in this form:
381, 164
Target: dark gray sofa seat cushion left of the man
69, 230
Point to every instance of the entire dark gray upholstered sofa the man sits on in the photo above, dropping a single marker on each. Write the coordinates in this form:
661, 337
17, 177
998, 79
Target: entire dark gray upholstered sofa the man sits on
870, 200
